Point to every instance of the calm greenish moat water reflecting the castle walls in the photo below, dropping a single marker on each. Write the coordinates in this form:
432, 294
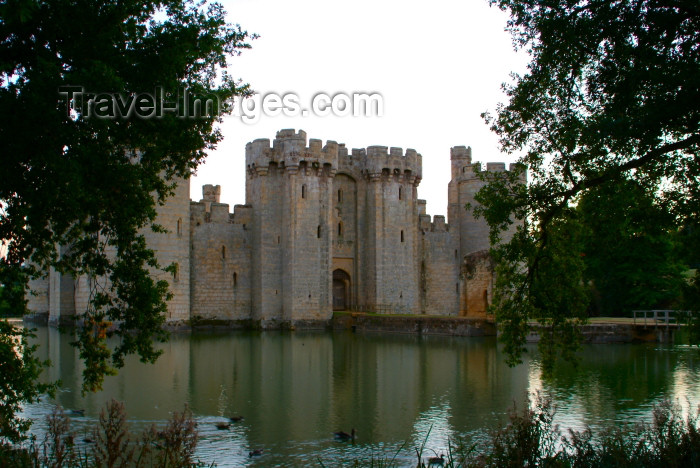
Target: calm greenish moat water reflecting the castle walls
296, 389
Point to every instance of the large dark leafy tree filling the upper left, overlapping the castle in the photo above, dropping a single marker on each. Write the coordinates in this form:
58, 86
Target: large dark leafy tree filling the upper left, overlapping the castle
103, 105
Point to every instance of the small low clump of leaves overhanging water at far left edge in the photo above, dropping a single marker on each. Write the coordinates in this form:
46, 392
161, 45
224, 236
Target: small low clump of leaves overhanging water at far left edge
19, 371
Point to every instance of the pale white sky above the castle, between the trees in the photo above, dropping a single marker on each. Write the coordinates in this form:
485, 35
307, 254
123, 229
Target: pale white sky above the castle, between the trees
437, 65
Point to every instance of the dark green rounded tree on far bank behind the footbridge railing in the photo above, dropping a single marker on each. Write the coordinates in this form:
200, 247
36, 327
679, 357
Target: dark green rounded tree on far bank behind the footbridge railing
631, 259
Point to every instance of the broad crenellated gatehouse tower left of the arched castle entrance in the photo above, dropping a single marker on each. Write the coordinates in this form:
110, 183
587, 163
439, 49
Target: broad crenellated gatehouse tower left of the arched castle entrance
289, 187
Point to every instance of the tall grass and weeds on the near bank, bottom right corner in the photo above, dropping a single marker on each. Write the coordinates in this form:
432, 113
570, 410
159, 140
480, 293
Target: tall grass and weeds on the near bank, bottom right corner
531, 439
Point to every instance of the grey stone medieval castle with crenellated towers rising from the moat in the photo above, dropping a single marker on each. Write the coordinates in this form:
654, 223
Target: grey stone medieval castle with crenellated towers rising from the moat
323, 229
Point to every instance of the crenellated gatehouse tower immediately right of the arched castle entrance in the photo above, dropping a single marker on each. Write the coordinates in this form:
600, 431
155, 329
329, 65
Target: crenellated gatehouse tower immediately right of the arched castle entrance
391, 241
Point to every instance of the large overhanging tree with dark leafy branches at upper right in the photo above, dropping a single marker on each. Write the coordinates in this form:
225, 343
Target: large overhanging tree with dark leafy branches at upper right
612, 92
